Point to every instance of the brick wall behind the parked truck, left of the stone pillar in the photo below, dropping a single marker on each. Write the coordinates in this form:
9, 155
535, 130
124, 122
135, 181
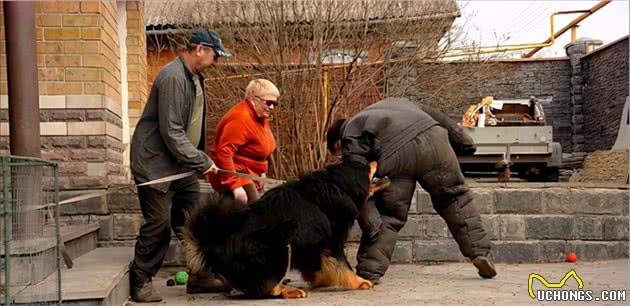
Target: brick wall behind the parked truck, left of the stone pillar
454, 86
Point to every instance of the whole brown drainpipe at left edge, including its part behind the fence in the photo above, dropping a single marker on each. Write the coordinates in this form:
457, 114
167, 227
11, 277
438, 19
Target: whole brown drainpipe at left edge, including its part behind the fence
21, 46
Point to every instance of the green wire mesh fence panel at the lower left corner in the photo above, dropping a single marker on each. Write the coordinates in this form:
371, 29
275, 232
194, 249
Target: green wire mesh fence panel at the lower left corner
29, 227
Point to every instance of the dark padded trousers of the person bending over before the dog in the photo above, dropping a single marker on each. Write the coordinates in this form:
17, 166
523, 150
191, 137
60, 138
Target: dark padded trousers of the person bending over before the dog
429, 160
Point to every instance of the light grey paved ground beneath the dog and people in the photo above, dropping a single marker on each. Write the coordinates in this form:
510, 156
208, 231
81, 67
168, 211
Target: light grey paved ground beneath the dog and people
443, 284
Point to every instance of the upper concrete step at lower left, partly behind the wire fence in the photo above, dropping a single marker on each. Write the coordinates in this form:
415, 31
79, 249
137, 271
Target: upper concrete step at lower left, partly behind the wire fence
33, 260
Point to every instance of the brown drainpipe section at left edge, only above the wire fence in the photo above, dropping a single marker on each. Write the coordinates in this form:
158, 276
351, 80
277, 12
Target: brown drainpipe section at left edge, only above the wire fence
21, 46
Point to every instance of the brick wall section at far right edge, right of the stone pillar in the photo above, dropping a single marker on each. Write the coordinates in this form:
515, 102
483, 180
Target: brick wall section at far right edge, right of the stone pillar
605, 88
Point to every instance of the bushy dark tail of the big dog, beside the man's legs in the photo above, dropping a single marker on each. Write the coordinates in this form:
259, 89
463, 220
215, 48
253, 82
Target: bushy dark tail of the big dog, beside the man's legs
212, 221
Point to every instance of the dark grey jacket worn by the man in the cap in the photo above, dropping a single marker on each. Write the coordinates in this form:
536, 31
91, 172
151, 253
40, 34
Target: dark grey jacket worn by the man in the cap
159, 146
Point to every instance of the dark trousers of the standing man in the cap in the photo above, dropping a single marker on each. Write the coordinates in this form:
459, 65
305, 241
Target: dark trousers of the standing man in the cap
162, 212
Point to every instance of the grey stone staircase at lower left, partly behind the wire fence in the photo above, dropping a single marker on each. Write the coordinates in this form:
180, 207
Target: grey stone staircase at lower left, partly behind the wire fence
95, 276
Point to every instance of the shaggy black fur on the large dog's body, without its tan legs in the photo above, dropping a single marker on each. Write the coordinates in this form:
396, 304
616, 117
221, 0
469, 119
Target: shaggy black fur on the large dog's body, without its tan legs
221, 231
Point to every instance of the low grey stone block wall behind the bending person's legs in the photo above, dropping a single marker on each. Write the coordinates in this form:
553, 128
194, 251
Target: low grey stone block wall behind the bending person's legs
524, 224
